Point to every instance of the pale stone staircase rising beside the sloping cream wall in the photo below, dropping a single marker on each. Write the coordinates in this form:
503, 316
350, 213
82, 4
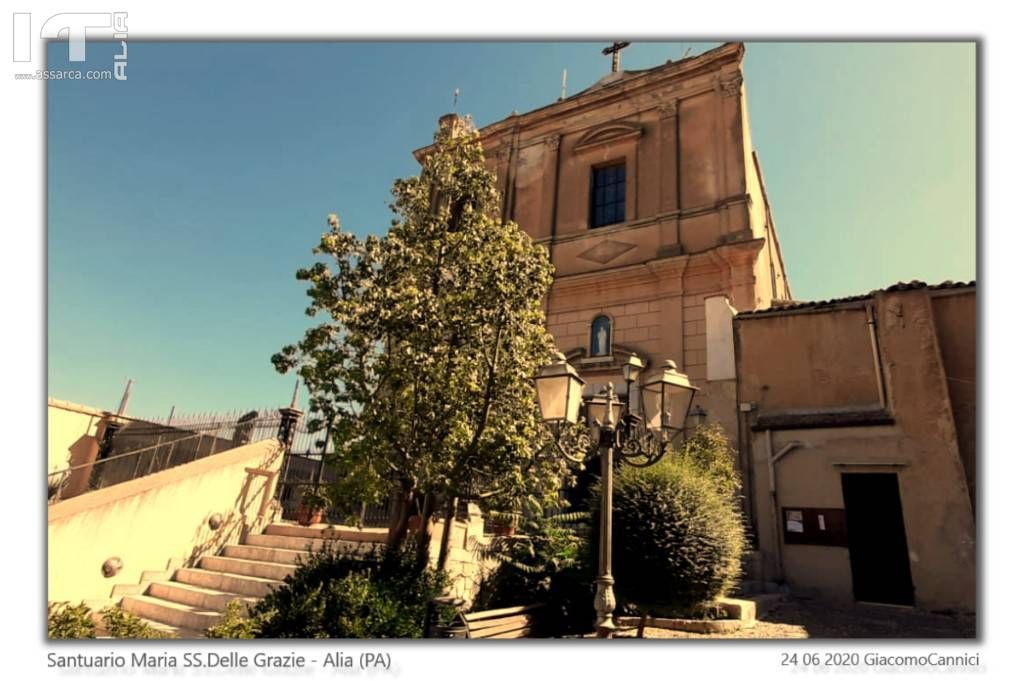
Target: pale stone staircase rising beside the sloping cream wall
191, 600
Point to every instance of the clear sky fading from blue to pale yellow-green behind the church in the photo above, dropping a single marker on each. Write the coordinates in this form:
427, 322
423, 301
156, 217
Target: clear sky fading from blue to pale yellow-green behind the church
182, 201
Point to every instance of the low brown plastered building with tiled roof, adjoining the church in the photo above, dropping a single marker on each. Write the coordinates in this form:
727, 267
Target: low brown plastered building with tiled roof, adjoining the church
858, 441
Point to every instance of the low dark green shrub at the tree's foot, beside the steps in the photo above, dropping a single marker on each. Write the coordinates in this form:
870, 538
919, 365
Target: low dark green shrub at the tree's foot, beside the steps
337, 593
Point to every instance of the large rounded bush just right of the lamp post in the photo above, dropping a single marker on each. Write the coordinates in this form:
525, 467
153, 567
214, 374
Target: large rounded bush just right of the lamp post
678, 531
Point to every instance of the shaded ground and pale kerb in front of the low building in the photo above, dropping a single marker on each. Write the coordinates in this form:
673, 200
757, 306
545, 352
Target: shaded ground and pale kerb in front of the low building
796, 618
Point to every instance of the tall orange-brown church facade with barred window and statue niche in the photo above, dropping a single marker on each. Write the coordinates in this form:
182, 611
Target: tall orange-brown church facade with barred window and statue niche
647, 191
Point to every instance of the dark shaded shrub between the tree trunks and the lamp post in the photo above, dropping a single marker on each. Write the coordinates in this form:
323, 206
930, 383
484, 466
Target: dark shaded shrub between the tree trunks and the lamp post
541, 565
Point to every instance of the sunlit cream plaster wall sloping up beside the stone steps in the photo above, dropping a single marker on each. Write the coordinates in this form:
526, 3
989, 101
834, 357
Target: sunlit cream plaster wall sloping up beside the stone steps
160, 521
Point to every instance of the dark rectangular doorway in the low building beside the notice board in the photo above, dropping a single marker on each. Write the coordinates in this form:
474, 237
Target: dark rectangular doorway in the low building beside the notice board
879, 557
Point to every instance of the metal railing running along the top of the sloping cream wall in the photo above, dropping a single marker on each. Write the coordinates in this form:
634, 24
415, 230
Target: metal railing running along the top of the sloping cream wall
132, 449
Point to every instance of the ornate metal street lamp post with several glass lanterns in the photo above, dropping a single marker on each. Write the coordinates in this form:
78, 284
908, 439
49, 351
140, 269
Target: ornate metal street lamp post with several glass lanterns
637, 440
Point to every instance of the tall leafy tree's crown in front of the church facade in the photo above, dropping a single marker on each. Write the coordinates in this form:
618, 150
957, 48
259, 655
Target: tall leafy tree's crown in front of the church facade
431, 338
